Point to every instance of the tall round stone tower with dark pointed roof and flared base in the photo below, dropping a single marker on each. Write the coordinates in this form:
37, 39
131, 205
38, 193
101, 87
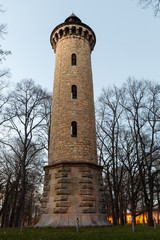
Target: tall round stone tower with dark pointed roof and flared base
73, 187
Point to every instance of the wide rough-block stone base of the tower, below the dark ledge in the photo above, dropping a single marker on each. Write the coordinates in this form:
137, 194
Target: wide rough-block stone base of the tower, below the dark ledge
73, 192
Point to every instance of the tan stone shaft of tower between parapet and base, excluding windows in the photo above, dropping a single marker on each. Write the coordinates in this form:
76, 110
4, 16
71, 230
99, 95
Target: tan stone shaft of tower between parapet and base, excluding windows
63, 147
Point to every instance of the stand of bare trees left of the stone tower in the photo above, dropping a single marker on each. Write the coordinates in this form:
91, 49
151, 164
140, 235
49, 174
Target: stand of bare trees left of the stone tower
24, 146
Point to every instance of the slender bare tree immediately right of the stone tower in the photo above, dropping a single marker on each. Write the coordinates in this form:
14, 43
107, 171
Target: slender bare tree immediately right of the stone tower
108, 131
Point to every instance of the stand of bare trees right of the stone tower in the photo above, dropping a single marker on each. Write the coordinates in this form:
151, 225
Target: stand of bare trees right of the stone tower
128, 133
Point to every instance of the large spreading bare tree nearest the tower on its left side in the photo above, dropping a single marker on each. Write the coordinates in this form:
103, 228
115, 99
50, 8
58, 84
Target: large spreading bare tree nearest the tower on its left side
26, 128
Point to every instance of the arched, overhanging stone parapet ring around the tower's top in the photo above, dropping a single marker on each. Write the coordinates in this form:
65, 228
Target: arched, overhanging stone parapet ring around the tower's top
73, 29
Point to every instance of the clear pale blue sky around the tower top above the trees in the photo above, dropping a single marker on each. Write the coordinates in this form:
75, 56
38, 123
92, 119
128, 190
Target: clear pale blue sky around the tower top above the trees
128, 39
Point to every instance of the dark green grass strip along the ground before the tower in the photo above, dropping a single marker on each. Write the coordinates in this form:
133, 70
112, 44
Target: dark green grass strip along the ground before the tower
97, 233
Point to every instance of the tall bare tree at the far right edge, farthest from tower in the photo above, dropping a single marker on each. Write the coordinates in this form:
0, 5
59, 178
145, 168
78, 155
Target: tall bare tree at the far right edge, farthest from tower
142, 108
